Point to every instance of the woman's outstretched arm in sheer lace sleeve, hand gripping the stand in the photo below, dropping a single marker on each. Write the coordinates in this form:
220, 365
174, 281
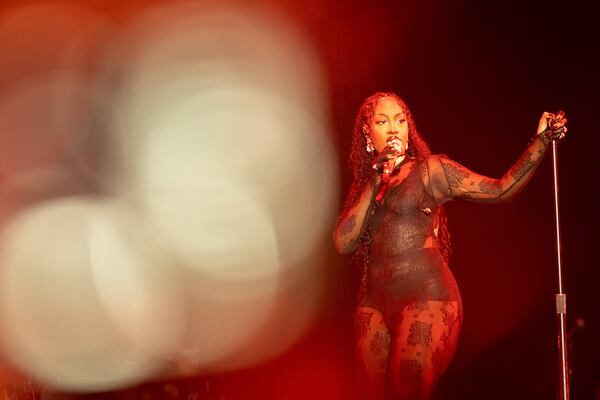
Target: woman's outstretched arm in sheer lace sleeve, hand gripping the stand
450, 180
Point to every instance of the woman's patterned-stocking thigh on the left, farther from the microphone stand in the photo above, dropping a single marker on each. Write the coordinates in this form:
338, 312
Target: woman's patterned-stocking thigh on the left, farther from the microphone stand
372, 342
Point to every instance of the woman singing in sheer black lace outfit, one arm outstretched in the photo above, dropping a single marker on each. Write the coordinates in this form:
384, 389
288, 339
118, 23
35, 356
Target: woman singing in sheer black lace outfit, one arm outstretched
409, 313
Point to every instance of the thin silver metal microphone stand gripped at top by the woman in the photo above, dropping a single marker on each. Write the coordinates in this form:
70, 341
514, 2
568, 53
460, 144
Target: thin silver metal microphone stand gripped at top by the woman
561, 298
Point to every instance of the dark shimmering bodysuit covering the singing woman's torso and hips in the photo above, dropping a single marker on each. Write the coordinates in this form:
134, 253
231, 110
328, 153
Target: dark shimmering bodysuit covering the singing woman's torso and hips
402, 267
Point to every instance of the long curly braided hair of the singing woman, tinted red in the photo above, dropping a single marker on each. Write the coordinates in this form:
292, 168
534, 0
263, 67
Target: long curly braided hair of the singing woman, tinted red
361, 164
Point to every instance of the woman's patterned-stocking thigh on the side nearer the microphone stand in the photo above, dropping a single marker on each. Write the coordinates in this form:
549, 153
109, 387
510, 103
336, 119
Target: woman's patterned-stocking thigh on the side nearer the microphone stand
423, 342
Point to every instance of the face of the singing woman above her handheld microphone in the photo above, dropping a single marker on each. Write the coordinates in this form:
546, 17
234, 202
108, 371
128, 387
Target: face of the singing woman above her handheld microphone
388, 120
